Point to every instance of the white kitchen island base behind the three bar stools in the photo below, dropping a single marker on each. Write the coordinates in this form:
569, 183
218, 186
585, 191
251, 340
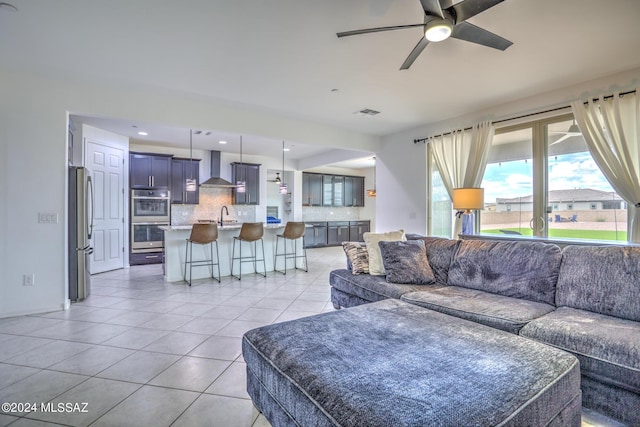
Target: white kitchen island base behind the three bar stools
175, 237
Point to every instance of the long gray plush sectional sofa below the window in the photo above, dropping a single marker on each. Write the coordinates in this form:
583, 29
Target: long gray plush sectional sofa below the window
584, 300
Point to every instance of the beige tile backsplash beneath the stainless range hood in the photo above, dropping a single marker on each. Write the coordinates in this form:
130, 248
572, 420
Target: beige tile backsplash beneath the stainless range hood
211, 202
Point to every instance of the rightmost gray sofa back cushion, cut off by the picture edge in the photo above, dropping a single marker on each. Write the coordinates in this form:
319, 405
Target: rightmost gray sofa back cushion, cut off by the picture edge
601, 279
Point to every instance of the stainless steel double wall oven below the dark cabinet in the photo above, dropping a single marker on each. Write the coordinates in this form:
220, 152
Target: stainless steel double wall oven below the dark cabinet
150, 209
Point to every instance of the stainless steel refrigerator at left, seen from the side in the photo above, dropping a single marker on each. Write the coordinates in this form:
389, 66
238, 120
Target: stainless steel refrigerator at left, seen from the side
80, 229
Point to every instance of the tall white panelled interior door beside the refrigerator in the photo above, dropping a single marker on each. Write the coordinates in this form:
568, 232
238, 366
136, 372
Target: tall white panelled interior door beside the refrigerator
106, 166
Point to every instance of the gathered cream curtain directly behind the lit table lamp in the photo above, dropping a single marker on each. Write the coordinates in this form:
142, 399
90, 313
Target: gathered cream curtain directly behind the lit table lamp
461, 157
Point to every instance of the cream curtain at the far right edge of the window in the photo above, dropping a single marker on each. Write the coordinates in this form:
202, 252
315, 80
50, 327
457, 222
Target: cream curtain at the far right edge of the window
611, 128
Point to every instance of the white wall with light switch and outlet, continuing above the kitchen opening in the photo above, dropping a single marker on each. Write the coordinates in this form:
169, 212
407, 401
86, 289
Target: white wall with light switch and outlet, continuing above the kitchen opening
33, 166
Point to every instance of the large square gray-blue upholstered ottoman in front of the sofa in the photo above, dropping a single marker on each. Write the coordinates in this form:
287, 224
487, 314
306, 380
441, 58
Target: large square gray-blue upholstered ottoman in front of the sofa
391, 363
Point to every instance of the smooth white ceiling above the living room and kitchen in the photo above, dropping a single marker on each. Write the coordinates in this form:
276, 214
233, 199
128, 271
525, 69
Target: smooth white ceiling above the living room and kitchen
283, 56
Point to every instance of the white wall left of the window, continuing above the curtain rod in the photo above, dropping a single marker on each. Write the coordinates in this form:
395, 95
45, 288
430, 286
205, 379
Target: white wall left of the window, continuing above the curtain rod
402, 168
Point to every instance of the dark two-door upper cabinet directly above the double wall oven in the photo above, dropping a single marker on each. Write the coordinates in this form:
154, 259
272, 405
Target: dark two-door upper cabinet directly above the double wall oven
149, 170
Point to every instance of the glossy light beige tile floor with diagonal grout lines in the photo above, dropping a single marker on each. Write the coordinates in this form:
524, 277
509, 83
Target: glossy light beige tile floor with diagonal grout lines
142, 352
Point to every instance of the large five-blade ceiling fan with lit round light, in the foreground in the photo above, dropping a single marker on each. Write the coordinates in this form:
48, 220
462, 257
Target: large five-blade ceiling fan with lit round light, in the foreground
442, 23
